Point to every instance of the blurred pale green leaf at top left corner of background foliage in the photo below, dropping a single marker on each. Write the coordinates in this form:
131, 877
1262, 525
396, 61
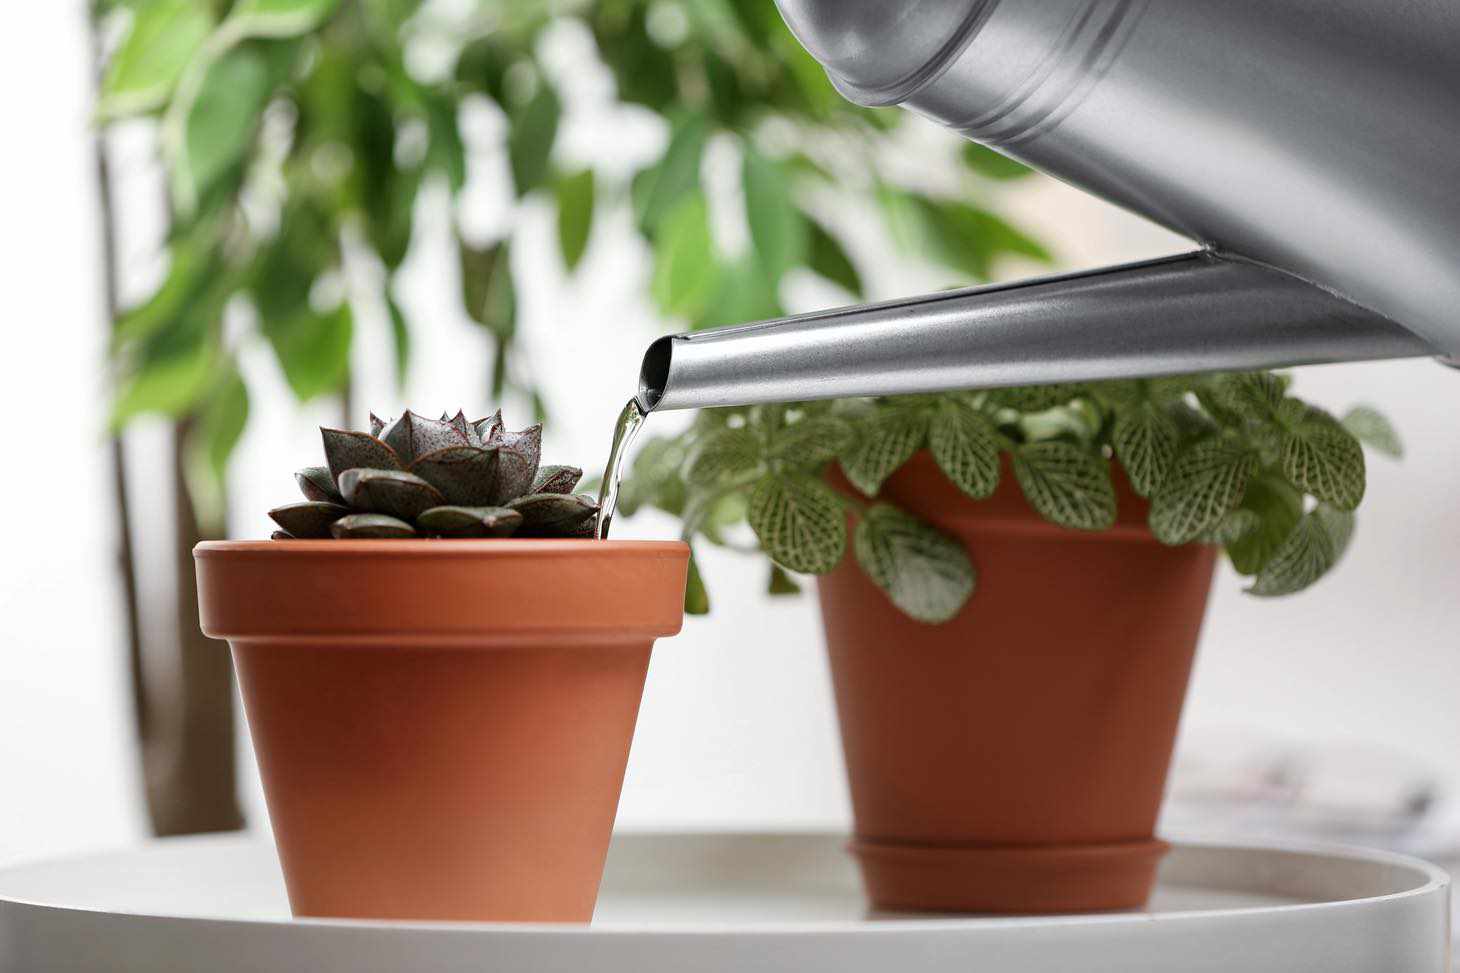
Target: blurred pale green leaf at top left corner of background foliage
142, 74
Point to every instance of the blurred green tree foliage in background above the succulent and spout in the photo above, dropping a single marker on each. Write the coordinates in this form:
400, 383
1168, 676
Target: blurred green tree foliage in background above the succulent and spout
294, 132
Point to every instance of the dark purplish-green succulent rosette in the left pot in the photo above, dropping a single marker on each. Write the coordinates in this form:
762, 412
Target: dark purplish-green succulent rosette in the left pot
436, 478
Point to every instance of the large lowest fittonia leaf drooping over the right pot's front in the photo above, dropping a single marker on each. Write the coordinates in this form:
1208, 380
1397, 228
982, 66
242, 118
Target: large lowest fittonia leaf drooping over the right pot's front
925, 573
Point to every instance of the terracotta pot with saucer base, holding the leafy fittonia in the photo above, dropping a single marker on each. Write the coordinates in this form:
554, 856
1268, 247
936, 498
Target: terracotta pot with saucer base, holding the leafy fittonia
1014, 759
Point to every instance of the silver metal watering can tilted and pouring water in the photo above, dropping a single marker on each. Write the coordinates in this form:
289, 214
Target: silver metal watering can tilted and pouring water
1310, 147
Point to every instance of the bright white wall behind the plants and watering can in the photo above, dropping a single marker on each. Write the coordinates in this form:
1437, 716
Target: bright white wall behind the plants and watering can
737, 728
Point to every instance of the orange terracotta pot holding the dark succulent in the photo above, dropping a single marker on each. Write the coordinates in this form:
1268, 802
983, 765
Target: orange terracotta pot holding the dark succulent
442, 725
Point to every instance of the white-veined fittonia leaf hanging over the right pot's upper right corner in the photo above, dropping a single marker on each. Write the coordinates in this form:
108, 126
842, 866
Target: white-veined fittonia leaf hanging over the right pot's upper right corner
1207, 481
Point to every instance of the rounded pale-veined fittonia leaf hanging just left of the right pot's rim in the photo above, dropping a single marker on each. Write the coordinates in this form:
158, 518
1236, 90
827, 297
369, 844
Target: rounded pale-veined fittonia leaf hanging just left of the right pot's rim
801, 524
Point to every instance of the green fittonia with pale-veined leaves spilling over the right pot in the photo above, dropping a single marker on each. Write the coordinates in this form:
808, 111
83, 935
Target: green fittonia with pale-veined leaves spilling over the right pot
1227, 459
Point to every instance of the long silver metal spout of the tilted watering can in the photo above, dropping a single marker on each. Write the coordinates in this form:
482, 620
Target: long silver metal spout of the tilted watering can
1192, 313
